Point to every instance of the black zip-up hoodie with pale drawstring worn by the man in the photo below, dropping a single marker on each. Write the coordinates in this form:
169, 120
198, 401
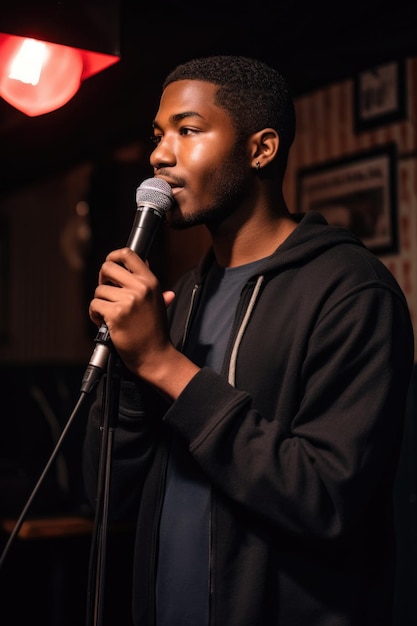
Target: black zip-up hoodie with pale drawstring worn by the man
299, 437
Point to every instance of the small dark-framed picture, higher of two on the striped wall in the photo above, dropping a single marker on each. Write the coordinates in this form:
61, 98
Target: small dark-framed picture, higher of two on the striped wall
380, 96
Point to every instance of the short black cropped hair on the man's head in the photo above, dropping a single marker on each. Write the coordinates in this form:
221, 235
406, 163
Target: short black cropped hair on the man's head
255, 94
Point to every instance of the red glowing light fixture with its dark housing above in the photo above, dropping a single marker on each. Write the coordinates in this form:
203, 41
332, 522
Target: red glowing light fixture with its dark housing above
39, 72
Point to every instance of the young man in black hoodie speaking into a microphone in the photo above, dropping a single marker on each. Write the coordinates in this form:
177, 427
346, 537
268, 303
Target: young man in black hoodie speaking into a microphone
261, 408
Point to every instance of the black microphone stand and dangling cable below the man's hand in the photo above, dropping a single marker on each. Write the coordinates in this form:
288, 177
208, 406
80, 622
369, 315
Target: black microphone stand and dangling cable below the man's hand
111, 388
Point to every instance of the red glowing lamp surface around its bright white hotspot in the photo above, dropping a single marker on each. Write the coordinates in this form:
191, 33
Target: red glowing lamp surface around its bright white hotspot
60, 77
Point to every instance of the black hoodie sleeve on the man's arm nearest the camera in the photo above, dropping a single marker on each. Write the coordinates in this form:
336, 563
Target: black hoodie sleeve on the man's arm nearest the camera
325, 448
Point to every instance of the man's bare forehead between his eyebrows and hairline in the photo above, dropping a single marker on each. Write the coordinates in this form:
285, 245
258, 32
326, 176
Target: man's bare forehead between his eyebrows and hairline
191, 96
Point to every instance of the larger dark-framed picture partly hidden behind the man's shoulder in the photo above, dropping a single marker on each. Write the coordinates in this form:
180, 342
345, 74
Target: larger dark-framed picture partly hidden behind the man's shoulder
358, 192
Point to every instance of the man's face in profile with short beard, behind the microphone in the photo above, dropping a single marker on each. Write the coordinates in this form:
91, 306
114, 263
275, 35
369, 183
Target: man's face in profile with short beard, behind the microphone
198, 153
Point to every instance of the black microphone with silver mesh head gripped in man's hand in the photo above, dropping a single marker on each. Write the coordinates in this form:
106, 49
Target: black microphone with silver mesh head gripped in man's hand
153, 199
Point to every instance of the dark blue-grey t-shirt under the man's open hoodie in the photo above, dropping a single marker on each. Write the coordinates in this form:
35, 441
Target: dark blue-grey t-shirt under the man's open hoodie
183, 563
